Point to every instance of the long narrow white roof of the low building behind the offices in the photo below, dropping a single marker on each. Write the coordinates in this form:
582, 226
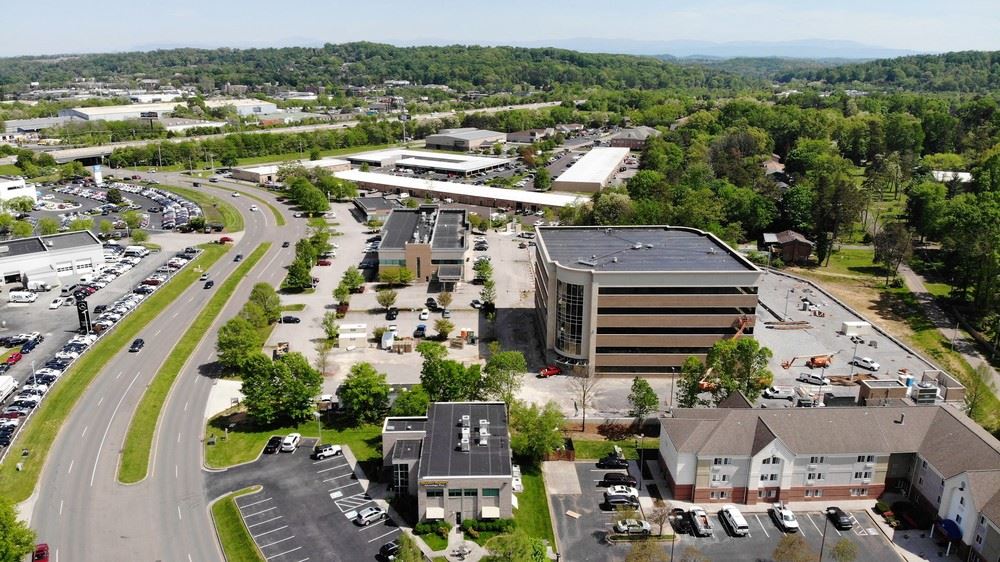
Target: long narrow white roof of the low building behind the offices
446, 189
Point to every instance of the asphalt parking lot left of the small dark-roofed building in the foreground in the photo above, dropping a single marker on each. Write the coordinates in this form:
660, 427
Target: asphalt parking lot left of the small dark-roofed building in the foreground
306, 508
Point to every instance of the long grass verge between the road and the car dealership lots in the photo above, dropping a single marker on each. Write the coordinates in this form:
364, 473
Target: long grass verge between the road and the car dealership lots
39, 434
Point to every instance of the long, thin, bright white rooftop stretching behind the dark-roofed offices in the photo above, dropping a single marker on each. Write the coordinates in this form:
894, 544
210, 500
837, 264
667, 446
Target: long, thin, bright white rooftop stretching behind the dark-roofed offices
460, 192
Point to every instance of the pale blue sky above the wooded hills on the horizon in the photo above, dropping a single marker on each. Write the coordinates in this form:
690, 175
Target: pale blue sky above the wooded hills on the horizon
63, 26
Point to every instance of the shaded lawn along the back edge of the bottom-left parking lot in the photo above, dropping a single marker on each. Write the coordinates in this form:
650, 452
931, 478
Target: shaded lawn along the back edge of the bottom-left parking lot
247, 439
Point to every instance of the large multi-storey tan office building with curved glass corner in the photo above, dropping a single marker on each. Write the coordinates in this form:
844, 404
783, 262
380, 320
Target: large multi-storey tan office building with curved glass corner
639, 300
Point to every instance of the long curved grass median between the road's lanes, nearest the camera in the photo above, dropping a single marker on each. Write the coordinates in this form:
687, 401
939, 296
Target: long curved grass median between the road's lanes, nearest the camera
138, 442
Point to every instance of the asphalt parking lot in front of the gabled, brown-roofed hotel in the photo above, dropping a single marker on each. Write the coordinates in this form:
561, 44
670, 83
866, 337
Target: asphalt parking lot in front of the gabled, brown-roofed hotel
582, 524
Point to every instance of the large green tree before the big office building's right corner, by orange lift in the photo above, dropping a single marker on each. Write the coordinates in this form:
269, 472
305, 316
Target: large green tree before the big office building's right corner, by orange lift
740, 366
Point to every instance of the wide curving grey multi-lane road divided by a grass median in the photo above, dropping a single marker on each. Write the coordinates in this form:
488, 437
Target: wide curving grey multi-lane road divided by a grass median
80, 509
